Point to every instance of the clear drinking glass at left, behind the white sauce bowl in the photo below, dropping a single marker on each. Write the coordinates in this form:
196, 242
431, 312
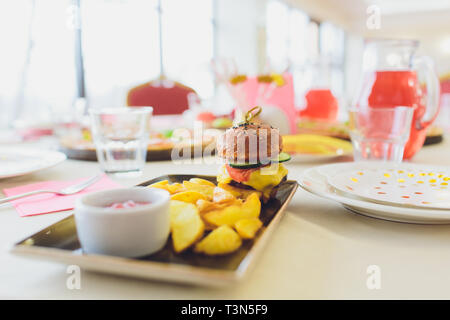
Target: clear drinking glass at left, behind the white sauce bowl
121, 137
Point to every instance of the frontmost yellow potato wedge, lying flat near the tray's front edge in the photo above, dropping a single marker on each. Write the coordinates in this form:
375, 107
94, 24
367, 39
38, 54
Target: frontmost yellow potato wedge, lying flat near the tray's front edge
222, 240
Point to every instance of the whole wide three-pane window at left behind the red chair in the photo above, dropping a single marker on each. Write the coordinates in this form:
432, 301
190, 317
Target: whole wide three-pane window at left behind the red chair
121, 49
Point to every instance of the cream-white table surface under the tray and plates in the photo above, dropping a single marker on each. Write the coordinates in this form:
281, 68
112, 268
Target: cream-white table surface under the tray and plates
319, 250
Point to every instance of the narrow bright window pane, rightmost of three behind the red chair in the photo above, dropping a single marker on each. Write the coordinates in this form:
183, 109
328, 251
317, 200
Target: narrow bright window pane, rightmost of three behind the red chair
187, 29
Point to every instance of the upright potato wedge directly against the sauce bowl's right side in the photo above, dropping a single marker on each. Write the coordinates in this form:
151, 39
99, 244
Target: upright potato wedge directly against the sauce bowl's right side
185, 224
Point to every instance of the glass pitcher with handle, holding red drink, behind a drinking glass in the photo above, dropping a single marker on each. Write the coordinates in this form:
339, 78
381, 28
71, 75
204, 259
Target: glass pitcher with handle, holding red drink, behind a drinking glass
391, 80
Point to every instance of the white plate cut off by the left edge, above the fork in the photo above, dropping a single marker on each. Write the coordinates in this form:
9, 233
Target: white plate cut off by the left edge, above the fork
17, 161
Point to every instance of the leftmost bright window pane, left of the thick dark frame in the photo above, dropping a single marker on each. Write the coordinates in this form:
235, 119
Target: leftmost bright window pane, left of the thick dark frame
37, 61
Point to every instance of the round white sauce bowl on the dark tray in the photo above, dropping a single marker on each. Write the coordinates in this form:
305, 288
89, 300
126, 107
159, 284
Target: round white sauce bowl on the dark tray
128, 232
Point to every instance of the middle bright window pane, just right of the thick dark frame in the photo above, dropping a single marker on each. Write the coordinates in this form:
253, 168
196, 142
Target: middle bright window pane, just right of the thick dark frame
120, 48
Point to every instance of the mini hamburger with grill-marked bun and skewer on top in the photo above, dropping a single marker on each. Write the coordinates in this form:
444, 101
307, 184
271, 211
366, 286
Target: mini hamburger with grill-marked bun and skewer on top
253, 156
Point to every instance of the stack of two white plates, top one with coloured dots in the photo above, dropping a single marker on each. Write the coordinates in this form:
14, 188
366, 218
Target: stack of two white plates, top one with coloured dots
412, 193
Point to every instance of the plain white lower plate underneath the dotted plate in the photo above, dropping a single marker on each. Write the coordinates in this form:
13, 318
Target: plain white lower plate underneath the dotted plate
315, 180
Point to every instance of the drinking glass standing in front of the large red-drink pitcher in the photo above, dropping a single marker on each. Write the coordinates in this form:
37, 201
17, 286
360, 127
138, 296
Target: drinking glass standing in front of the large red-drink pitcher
380, 133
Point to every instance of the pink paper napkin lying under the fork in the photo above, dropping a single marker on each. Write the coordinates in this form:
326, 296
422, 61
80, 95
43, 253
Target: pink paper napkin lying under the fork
47, 202
